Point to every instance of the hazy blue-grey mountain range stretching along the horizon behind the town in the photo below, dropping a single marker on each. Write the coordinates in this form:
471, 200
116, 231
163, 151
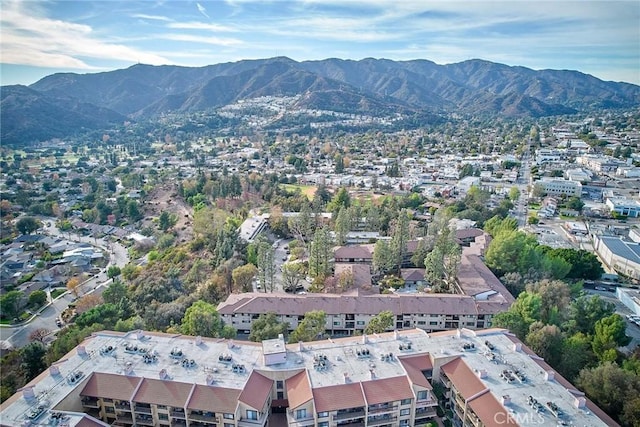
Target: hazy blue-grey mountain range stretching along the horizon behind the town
66, 102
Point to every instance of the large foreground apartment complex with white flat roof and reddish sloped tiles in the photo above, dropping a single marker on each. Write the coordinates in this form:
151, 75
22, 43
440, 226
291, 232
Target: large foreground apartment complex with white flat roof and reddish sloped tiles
488, 378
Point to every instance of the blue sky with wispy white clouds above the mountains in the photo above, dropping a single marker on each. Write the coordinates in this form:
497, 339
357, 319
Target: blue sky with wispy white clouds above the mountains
38, 38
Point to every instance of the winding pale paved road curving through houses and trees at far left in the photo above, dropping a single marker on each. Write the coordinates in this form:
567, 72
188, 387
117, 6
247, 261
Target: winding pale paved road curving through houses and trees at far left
118, 255
